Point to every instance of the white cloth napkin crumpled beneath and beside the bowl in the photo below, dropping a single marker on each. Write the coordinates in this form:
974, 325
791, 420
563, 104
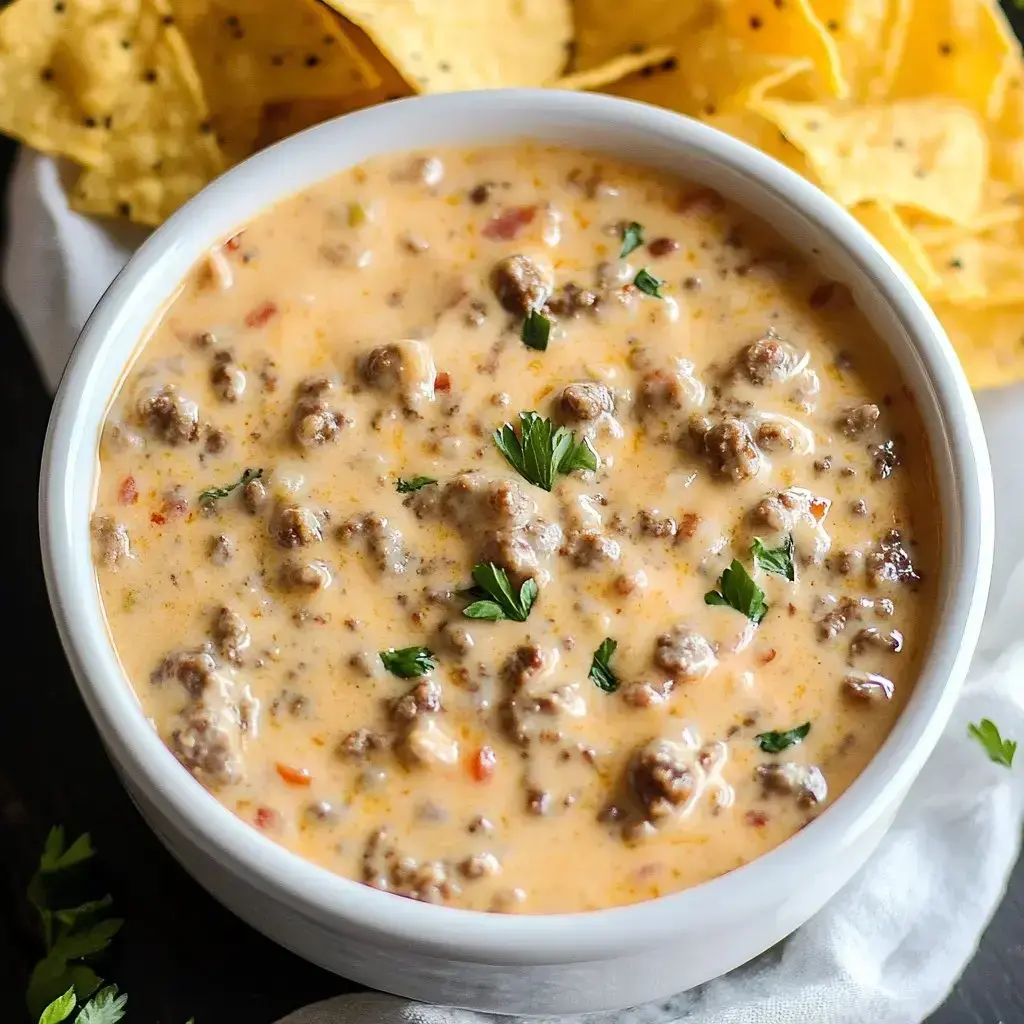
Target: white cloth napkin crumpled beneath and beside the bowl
888, 949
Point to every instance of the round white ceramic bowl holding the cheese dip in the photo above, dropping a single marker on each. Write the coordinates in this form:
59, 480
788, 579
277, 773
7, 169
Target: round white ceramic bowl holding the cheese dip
565, 963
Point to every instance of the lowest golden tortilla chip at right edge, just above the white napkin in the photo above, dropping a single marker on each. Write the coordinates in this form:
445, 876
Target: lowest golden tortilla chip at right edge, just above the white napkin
990, 343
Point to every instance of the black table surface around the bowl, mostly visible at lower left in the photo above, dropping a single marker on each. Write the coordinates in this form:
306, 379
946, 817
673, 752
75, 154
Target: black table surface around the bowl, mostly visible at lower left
181, 954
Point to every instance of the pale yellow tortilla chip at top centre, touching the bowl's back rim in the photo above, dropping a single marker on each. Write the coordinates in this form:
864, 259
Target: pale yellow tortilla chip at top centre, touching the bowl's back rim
448, 46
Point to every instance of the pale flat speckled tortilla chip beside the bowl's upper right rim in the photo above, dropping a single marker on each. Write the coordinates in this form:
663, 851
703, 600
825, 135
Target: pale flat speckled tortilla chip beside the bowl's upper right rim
929, 155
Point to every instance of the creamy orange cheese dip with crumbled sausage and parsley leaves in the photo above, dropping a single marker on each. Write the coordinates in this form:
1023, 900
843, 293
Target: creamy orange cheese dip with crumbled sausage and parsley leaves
662, 703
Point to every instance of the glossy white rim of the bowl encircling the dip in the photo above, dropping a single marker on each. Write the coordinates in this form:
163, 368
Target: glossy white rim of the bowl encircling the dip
353, 908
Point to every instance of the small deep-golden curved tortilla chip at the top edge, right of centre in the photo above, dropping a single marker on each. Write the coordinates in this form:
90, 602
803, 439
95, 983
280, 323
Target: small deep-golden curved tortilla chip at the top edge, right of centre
789, 30
